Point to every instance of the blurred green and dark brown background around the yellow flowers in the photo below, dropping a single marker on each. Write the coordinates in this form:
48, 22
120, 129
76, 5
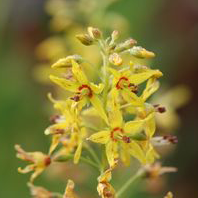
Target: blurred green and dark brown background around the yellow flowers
170, 28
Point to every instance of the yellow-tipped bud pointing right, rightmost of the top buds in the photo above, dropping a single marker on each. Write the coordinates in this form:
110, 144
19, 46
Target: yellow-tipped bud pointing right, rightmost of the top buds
140, 52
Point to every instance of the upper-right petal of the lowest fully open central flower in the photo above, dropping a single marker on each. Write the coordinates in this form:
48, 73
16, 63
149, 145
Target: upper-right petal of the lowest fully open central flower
133, 126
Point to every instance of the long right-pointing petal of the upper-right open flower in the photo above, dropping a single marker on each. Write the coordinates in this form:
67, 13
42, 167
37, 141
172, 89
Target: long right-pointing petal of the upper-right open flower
141, 77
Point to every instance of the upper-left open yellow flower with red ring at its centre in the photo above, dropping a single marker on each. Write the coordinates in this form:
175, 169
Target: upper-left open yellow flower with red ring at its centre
83, 89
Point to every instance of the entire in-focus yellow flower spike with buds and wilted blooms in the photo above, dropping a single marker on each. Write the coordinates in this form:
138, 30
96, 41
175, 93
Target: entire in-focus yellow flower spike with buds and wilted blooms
112, 110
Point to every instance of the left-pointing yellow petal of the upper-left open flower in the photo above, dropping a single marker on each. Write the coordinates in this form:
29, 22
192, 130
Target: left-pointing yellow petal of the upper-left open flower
65, 84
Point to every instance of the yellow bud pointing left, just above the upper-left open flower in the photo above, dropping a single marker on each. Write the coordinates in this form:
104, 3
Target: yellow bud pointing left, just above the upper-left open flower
67, 62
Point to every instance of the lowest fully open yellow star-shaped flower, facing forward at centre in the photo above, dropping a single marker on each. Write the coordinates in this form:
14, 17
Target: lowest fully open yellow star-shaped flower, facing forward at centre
118, 135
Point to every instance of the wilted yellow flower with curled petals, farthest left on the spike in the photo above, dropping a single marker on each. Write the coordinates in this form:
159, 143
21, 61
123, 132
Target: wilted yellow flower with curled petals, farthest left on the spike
39, 162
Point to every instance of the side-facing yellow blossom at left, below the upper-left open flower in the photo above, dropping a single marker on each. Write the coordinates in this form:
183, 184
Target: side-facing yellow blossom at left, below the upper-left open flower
67, 129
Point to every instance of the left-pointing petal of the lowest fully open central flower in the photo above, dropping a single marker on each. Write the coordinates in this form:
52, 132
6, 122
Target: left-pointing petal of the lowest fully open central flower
101, 137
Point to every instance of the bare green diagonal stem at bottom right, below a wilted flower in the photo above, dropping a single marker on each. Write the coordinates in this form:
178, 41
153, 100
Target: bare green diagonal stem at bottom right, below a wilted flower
132, 179
